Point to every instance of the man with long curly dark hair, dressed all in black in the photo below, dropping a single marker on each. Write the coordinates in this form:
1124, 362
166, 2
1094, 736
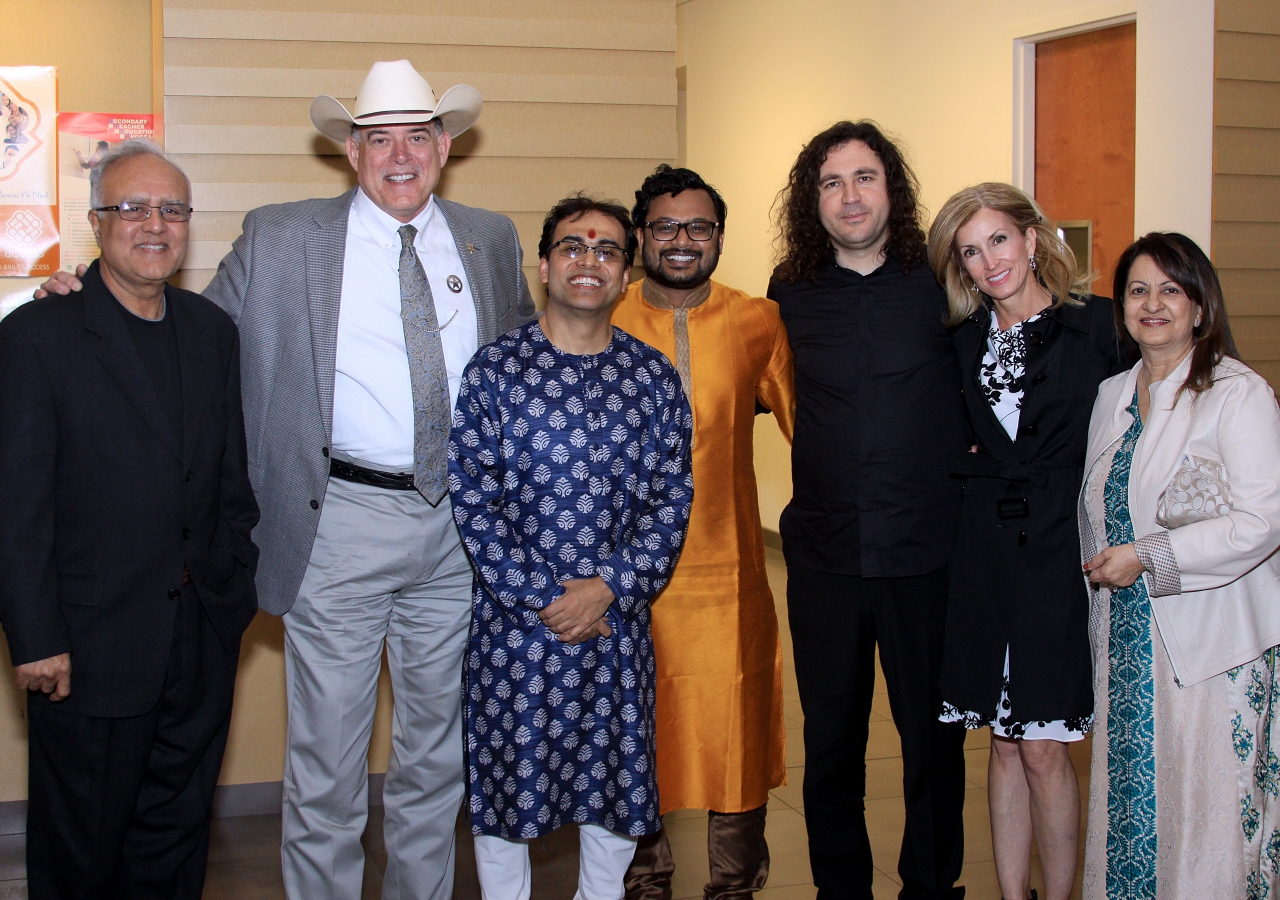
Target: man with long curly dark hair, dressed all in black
875, 513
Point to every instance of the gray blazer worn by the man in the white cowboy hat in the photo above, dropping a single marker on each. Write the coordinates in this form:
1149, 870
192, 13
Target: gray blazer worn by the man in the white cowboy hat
282, 285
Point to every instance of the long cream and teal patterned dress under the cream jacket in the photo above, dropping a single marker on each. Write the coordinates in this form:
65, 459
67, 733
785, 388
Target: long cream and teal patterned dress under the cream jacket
1185, 794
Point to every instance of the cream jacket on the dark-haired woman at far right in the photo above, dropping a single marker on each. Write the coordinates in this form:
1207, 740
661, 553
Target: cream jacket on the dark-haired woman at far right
1229, 607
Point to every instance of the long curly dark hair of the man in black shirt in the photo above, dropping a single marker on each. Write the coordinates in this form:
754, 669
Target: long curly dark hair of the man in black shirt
804, 245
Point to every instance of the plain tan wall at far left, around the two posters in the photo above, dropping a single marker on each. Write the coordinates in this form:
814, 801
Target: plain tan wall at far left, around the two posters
89, 42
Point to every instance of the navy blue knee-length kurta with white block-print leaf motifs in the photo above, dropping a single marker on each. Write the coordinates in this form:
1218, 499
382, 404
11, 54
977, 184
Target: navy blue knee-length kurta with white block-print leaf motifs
565, 468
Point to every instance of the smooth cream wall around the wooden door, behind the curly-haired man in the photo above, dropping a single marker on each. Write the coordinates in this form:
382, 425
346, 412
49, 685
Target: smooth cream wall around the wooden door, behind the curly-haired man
764, 77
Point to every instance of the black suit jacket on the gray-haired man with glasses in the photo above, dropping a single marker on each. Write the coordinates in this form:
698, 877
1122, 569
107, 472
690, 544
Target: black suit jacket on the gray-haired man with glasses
102, 508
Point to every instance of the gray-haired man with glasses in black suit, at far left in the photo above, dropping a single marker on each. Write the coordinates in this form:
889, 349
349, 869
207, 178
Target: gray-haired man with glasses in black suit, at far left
126, 563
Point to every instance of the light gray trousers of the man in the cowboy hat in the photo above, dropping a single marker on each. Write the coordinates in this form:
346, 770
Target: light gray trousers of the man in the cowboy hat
387, 570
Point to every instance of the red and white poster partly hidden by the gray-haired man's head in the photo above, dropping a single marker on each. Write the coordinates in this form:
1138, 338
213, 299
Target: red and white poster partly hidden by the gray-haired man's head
83, 138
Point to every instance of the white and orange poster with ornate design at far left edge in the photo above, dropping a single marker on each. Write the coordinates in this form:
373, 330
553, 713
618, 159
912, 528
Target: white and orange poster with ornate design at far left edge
29, 171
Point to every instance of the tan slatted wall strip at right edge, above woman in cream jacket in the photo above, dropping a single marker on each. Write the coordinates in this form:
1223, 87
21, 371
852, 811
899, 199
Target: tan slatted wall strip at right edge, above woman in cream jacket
1247, 176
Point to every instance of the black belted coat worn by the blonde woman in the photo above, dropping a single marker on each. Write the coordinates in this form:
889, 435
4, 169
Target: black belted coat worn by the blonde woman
1016, 579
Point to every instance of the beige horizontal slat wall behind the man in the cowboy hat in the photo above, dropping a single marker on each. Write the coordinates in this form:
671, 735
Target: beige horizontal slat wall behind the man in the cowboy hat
573, 102
